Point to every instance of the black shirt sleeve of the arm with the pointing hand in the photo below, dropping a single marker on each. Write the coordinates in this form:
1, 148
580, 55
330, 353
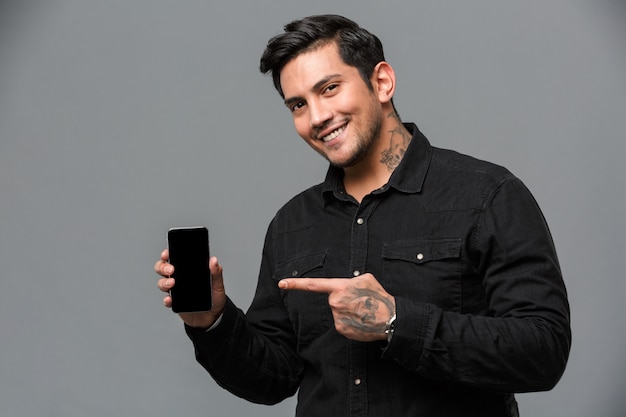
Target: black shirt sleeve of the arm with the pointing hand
522, 343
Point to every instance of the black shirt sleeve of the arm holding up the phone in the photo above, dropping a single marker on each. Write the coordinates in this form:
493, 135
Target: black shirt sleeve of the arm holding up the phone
253, 359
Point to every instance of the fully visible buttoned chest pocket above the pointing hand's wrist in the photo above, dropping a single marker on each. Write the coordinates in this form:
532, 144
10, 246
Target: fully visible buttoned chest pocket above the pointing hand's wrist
425, 270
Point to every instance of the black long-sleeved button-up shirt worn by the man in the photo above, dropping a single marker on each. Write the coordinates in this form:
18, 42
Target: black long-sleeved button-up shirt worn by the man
461, 244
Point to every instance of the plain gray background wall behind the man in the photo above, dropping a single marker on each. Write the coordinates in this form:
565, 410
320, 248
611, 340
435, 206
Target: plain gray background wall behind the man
119, 119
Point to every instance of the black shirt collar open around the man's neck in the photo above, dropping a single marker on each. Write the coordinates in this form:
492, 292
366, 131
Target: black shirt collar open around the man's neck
408, 177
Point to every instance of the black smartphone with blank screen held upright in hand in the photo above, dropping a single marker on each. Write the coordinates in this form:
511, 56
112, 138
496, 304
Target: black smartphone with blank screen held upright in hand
189, 254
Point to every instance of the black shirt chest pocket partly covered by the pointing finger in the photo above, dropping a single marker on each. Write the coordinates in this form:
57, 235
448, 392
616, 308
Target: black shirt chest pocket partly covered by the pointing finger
308, 312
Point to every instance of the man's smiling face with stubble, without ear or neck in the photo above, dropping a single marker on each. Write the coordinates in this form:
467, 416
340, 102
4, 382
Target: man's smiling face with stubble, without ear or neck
333, 109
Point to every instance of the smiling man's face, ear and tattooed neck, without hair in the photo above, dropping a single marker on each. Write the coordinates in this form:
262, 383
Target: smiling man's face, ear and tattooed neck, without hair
342, 116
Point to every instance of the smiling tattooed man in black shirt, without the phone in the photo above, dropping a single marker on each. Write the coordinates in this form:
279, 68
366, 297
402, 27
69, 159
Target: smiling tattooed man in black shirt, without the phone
414, 281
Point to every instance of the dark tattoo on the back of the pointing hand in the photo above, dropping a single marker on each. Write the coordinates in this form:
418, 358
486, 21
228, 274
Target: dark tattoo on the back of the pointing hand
367, 303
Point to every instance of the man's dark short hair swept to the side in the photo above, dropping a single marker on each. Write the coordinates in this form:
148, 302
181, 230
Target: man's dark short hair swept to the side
357, 47
